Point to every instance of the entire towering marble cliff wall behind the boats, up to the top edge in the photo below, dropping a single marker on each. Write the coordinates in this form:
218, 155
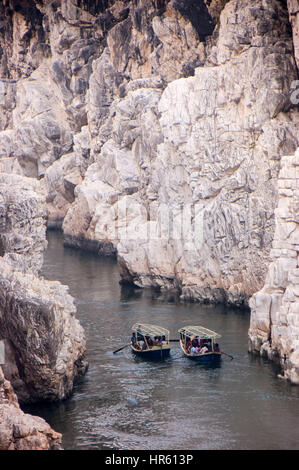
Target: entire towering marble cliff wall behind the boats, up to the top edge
157, 131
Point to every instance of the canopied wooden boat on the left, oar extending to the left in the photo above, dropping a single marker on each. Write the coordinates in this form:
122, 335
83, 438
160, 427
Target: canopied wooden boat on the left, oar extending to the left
150, 341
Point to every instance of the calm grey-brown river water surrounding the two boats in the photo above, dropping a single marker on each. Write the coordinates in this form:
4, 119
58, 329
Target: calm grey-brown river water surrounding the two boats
126, 403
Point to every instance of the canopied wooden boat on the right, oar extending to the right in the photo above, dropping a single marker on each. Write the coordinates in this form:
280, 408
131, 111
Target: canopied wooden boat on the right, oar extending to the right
208, 351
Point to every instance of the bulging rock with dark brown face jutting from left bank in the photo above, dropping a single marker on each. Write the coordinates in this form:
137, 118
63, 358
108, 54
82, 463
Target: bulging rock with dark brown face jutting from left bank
37, 317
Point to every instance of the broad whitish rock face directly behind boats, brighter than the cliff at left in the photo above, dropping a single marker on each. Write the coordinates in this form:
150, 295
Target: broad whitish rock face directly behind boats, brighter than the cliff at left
184, 183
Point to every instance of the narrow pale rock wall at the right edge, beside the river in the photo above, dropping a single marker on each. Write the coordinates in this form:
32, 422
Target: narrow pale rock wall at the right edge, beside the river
274, 321
